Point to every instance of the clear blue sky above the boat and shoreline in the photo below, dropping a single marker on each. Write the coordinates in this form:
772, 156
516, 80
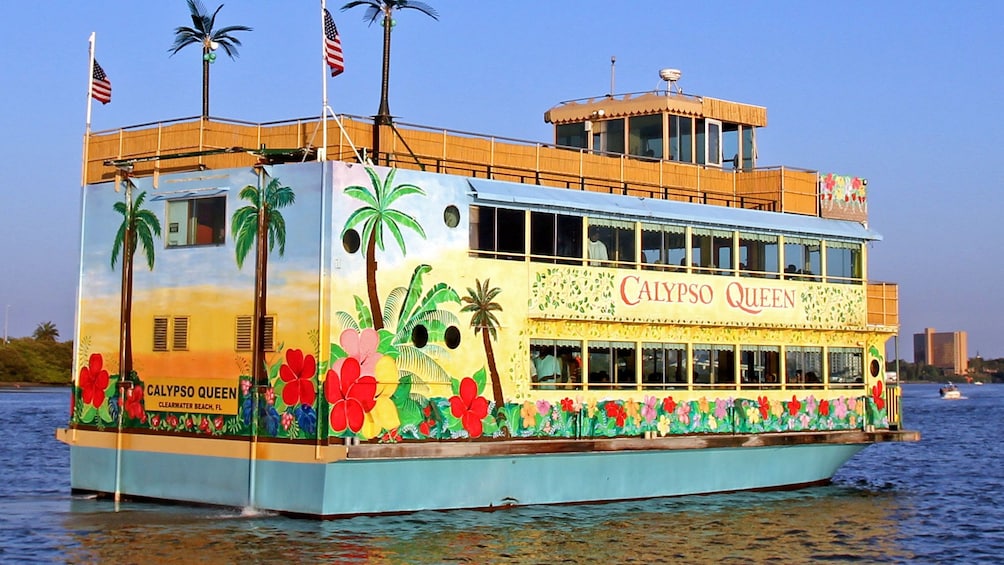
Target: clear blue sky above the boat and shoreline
905, 94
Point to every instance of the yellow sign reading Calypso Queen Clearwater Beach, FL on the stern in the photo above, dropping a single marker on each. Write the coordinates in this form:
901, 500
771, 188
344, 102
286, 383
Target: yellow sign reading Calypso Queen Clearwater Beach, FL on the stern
198, 396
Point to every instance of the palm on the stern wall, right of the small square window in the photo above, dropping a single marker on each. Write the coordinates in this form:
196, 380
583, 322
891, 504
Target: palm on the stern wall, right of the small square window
261, 225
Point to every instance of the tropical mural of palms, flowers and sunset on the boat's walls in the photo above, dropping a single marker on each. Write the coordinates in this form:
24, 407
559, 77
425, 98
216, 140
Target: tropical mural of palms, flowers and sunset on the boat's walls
419, 343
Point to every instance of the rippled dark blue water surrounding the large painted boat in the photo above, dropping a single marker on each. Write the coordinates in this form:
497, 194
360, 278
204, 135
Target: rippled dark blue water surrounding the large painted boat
939, 501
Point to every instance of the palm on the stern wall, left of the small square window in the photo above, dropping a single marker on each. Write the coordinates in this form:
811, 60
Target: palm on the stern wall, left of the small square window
139, 228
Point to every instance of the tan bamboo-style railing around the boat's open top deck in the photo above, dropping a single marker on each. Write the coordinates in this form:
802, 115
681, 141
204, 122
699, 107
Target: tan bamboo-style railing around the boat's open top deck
777, 189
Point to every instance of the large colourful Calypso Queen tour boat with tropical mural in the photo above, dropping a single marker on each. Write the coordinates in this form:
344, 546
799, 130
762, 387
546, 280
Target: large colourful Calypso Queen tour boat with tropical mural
344, 317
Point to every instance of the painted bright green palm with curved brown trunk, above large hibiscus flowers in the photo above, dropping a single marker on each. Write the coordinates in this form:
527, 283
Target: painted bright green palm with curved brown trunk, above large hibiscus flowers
375, 217
